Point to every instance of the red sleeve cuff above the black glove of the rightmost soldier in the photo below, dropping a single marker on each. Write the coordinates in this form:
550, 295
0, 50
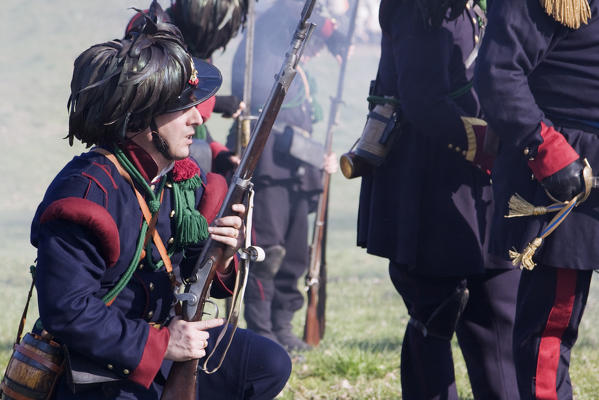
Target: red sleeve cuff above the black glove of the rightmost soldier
553, 154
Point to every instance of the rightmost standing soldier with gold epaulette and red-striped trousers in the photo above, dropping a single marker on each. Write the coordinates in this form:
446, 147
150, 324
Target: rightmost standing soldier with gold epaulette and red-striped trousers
538, 80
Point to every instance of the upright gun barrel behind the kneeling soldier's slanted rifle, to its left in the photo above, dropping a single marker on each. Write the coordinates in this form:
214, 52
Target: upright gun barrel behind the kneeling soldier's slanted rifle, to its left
244, 120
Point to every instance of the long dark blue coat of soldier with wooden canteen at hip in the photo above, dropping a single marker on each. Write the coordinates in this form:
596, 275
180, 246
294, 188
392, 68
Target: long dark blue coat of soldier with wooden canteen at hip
426, 206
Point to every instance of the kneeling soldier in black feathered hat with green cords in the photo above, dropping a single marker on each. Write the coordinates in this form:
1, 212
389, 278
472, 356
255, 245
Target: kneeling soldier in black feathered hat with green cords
121, 224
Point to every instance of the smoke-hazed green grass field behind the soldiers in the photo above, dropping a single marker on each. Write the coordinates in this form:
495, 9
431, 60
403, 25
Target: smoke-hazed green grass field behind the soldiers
359, 355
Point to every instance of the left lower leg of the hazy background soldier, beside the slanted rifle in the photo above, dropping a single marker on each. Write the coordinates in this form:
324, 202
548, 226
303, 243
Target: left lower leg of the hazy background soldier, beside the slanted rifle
260, 291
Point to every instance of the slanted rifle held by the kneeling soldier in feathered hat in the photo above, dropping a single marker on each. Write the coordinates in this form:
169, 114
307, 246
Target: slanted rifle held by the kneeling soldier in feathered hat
181, 382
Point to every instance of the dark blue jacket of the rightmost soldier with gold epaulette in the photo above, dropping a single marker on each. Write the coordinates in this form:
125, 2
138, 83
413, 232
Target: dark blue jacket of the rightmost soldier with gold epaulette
534, 73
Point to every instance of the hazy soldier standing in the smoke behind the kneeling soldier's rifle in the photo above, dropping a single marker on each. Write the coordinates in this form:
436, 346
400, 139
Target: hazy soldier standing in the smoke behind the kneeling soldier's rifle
286, 184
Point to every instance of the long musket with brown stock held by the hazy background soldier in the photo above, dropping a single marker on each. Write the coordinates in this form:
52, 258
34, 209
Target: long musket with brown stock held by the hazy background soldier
316, 277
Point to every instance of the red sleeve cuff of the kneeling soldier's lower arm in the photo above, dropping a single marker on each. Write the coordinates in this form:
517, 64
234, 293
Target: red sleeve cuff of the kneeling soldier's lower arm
152, 358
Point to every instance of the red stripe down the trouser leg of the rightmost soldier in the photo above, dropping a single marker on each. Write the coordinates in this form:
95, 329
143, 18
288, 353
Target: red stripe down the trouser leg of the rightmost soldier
549, 348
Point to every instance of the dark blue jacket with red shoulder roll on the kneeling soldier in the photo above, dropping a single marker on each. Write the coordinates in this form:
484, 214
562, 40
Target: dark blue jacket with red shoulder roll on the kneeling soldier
86, 230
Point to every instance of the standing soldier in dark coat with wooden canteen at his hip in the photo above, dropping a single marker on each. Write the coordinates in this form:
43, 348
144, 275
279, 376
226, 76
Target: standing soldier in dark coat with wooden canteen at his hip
427, 206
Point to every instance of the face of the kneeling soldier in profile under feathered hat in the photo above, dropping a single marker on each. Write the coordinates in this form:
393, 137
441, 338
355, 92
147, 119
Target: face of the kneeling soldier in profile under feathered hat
175, 133
